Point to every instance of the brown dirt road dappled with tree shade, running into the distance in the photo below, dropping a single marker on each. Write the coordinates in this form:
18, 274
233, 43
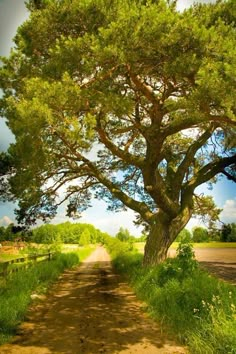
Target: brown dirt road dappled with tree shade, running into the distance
90, 310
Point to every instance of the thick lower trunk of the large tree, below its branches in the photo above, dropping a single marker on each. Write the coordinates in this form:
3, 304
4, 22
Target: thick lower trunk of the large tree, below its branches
162, 233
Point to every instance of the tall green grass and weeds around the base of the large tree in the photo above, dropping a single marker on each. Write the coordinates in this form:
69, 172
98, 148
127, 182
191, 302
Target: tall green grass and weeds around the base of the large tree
198, 308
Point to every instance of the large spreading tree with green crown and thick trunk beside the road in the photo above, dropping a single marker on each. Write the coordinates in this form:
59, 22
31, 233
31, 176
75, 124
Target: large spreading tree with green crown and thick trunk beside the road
129, 101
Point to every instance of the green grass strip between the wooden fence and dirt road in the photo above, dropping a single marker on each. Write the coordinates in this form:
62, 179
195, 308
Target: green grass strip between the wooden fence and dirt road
16, 290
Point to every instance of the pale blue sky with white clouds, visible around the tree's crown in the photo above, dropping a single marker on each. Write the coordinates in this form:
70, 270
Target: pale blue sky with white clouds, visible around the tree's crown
12, 14
